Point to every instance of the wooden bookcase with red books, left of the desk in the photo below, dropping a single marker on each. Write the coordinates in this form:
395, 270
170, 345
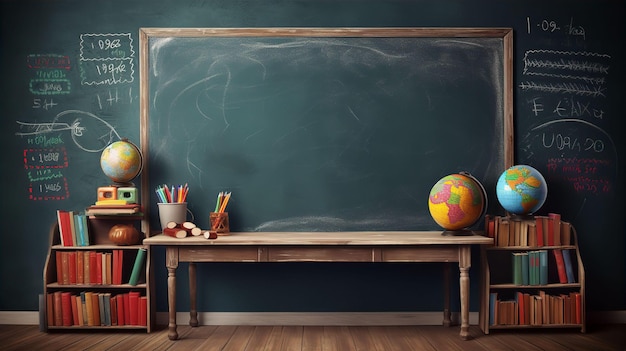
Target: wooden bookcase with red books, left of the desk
119, 293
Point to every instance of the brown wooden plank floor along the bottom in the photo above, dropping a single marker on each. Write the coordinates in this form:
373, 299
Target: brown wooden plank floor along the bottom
275, 338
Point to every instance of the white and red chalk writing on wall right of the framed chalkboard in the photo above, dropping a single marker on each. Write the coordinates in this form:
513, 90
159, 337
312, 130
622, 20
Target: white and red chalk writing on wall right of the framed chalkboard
565, 92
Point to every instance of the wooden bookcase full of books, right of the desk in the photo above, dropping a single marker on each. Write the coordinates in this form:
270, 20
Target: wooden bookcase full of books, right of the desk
533, 276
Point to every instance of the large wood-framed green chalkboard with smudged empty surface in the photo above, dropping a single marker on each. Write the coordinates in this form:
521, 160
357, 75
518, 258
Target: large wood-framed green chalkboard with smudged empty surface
324, 129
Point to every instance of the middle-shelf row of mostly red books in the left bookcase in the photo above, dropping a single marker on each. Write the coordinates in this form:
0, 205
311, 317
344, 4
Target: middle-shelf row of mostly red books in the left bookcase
101, 268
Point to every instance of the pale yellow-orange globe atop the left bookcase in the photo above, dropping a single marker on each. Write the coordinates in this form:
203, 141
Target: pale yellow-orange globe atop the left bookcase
121, 161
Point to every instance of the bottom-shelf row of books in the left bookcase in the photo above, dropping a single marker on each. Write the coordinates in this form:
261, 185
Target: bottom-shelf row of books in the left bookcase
66, 309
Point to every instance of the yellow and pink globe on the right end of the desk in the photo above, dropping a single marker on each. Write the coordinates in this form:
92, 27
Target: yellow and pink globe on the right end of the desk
457, 201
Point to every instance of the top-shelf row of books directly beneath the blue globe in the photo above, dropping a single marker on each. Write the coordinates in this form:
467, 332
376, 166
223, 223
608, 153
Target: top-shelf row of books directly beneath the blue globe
534, 231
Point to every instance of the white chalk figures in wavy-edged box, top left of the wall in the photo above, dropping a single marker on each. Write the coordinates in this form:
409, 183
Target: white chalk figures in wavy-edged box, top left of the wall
106, 59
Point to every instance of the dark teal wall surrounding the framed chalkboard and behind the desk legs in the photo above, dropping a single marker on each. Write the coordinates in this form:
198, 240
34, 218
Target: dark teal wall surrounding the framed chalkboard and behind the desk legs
592, 201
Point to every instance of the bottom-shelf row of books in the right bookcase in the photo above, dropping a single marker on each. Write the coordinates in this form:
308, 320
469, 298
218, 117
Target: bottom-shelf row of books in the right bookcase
535, 309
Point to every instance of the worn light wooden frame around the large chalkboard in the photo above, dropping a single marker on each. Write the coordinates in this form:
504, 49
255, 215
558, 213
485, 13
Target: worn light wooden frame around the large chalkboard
505, 34
